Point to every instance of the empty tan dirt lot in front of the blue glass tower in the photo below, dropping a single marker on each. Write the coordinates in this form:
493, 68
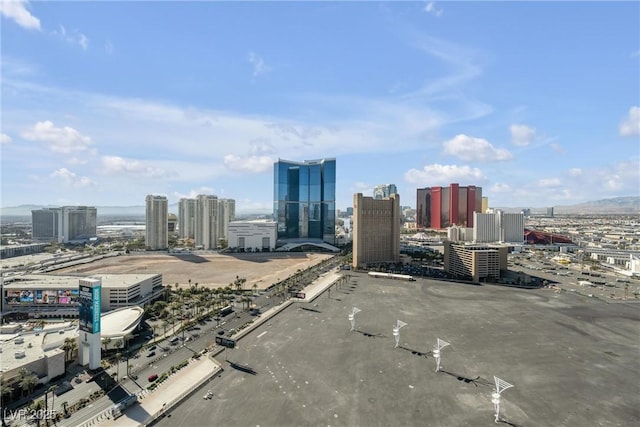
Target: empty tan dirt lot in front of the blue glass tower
206, 269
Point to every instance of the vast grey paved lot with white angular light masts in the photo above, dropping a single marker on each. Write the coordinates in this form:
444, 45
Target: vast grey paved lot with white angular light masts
574, 361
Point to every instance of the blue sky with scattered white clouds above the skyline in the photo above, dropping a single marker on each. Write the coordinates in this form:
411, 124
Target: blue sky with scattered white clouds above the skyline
106, 102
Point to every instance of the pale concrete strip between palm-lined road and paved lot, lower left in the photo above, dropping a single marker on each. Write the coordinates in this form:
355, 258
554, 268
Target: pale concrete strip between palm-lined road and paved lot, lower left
152, 404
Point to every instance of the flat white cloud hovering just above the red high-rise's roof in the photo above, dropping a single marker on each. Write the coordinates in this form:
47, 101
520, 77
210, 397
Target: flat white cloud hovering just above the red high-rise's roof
436, 174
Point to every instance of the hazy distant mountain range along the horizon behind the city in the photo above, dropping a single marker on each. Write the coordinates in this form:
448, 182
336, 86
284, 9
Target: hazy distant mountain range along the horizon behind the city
617, 205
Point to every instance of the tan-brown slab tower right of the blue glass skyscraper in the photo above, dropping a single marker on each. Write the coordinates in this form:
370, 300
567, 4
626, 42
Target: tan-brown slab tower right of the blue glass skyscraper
376, 230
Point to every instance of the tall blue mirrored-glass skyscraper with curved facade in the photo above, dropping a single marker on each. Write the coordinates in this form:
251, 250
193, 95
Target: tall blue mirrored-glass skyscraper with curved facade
305, 199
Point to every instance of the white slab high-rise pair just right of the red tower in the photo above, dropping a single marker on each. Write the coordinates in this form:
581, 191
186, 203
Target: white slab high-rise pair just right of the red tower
498, 226
